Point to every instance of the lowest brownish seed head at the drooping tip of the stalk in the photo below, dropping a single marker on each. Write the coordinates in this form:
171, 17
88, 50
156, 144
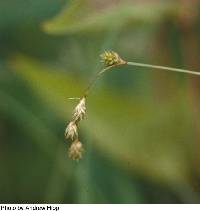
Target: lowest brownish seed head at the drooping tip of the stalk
76, 150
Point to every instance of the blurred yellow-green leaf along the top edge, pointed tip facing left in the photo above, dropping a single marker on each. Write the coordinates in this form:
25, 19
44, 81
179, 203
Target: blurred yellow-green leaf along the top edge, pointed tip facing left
82, 15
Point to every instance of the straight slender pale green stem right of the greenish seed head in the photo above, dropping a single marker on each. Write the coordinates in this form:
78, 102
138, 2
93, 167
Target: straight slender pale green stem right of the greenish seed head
163, 68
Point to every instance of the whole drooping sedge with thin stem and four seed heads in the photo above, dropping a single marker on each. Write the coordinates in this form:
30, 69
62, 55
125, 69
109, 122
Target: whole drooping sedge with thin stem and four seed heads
110, 60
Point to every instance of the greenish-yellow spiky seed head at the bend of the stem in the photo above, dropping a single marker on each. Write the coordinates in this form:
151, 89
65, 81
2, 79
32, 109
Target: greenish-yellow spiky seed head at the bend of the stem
110, 58
